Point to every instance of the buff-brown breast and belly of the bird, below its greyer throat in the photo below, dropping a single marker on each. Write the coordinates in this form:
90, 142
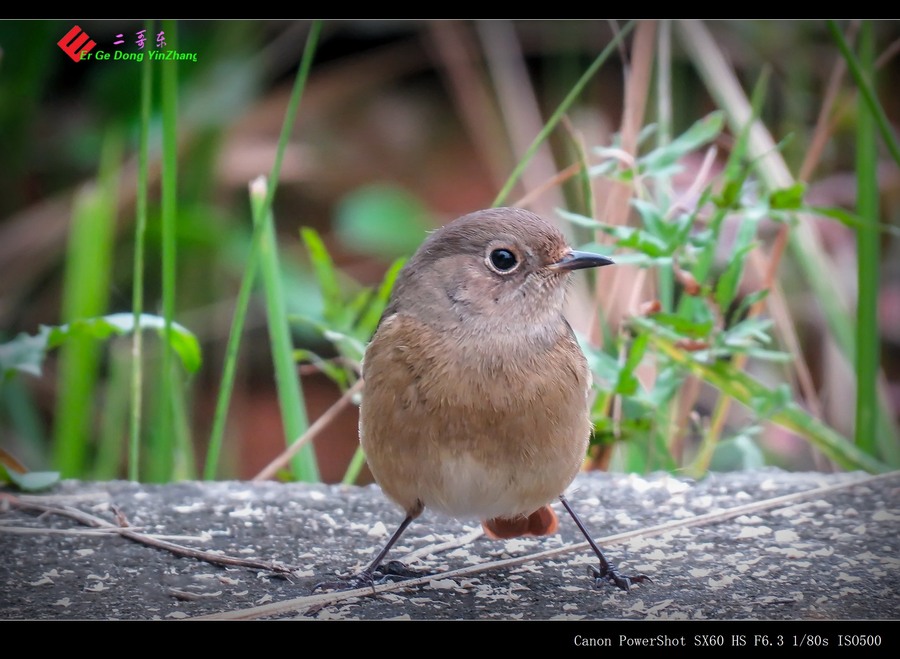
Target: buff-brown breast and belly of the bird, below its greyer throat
479, 428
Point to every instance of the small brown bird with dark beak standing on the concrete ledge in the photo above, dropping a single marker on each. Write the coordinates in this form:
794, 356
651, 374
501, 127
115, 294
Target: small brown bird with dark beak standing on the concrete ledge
476, 391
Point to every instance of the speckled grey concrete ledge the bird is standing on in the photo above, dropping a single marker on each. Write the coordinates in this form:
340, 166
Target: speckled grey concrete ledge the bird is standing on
765, 545
